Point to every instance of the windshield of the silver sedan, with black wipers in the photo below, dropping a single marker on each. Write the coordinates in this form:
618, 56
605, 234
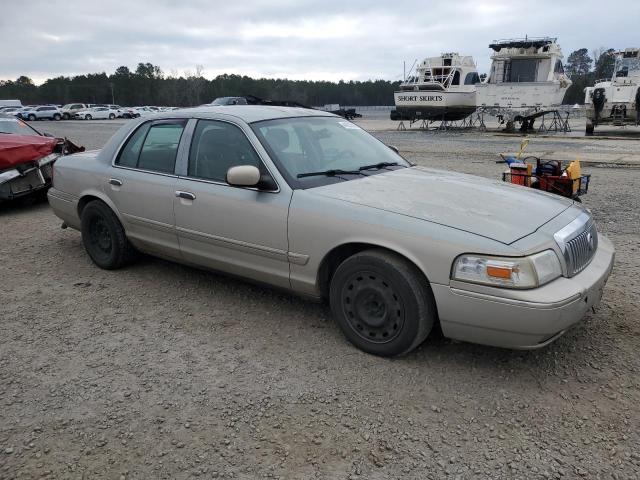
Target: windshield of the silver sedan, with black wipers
313, 151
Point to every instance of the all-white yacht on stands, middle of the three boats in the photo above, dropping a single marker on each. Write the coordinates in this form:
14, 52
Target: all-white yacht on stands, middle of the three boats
526, 75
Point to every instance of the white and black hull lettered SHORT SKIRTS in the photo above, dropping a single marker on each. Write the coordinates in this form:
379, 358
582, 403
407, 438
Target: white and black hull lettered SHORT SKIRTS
435, 105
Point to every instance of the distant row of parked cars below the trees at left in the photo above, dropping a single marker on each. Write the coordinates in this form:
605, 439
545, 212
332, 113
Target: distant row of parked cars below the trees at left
80, 111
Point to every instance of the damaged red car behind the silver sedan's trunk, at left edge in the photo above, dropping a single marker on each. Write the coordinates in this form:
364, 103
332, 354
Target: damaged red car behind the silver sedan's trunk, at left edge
26, 158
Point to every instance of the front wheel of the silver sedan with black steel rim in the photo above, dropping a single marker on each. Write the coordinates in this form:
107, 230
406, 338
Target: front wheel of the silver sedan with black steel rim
382, 303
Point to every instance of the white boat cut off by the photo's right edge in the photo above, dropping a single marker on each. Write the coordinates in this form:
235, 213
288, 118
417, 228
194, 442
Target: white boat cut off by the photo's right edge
615, 100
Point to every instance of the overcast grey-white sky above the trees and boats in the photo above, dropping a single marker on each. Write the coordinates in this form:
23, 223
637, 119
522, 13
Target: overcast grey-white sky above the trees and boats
323, 40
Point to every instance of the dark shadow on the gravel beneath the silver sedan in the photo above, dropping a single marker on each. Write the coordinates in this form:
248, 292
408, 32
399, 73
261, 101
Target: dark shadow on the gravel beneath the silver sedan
301, 313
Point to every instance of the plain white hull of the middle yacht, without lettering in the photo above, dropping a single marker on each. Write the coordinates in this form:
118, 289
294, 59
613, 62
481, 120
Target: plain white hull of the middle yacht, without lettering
522, 95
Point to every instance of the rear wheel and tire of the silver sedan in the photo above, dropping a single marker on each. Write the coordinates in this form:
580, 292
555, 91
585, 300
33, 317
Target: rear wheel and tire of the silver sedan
104, 237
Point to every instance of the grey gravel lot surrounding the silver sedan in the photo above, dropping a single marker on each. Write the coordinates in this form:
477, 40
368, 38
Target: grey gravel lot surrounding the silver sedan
164, 371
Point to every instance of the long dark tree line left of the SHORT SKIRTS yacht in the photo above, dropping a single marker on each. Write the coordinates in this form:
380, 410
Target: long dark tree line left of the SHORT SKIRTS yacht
148, 85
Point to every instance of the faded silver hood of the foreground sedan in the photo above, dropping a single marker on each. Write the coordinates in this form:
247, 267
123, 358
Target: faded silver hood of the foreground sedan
489, 208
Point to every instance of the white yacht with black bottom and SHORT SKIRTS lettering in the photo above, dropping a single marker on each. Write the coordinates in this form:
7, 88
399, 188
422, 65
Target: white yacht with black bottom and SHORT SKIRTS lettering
441, 88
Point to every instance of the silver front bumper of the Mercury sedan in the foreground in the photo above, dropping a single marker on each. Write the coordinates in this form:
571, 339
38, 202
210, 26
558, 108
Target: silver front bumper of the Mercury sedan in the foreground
529, 319
